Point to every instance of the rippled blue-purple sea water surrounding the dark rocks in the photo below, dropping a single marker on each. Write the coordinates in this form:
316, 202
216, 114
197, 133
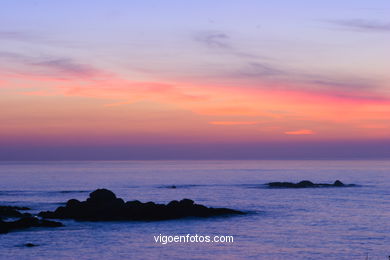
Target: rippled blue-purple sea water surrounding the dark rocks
319, 223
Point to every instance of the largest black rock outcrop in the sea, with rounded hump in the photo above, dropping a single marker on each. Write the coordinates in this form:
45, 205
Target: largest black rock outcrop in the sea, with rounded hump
103, 205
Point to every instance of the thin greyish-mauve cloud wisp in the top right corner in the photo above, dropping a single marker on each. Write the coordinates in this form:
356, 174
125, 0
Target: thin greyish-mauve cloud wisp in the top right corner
363, 25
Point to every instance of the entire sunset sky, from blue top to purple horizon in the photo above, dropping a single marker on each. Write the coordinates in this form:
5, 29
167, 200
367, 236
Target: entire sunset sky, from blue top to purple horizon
196, 79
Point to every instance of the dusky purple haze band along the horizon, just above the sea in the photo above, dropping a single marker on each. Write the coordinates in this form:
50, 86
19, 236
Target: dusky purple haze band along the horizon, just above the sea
336, 150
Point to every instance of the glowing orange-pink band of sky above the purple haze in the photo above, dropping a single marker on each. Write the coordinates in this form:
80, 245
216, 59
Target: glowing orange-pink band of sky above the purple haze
44, 107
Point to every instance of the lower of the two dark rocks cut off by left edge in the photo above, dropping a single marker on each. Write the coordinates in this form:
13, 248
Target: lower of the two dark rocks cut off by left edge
26, 222
